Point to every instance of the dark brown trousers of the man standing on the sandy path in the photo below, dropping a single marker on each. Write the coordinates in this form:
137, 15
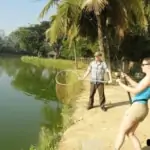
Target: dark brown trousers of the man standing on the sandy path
100, 88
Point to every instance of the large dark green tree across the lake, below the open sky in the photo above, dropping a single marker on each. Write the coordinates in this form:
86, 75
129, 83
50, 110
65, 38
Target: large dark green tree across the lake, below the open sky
32, 39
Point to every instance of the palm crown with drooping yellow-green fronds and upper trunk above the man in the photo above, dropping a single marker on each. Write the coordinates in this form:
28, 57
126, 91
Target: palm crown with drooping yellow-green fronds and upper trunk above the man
90, 18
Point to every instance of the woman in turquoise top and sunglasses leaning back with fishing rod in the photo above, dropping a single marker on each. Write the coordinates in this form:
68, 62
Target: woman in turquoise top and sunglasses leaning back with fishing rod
139, 108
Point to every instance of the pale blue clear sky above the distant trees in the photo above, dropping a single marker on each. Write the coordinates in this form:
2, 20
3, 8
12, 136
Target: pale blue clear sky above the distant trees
16, 13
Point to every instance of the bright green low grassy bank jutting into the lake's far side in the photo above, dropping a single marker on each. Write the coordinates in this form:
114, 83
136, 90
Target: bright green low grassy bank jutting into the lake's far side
48, 63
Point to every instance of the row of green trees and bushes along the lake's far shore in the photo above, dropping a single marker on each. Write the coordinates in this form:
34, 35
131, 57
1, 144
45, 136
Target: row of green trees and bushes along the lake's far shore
31, 40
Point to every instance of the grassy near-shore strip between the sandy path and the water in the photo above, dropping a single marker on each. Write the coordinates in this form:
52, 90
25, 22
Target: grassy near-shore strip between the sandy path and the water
45, 137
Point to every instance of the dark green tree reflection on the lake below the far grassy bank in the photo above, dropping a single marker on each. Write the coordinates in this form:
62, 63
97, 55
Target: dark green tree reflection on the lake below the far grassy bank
31, 80
